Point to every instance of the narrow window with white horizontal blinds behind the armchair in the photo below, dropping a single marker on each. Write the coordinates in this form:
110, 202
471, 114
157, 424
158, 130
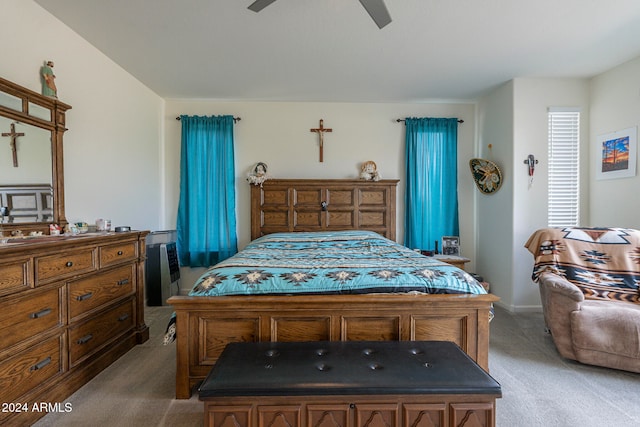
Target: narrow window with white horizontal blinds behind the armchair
564, 168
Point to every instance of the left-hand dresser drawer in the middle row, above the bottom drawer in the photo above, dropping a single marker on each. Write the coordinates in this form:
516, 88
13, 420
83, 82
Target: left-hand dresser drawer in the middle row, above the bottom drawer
22, 318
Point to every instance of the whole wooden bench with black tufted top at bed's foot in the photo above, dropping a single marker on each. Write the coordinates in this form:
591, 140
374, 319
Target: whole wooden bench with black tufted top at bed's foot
350, 383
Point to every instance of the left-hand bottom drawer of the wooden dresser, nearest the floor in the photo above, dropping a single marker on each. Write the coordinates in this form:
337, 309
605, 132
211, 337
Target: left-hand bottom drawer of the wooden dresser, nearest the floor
30, 369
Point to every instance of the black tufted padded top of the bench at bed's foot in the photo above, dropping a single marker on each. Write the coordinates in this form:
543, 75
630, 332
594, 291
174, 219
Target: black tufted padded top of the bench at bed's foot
345, 368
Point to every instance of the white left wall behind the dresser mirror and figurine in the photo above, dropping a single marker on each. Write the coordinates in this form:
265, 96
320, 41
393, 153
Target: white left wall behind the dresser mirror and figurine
112, 147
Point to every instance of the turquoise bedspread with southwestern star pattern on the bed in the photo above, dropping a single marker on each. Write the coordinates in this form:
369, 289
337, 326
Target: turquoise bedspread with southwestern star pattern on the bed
343, 262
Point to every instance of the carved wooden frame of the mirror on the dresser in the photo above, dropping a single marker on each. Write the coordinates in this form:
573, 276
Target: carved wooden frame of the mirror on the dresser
56, 125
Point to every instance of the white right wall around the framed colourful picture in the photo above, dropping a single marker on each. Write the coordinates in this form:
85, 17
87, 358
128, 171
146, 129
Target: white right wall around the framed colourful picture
615, 105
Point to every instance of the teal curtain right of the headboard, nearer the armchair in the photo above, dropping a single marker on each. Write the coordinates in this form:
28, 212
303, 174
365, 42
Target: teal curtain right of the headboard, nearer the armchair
431, 197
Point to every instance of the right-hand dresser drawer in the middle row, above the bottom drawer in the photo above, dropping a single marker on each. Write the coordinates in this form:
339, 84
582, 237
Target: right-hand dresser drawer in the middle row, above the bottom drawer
102, 288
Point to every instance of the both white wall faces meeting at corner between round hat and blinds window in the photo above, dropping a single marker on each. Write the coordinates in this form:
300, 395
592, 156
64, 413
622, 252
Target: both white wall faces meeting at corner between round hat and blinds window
513, 118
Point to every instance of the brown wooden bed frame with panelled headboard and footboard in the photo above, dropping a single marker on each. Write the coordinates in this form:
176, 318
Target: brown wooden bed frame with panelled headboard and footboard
204, 325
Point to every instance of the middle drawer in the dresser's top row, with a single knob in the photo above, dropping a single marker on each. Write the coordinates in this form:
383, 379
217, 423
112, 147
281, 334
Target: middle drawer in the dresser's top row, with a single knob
65, 264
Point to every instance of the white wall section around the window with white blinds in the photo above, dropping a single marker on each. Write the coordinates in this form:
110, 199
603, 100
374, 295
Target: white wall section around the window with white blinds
532, 99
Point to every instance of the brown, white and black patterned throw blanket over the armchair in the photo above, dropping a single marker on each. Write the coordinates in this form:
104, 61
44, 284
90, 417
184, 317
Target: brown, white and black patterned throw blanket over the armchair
603, 262
